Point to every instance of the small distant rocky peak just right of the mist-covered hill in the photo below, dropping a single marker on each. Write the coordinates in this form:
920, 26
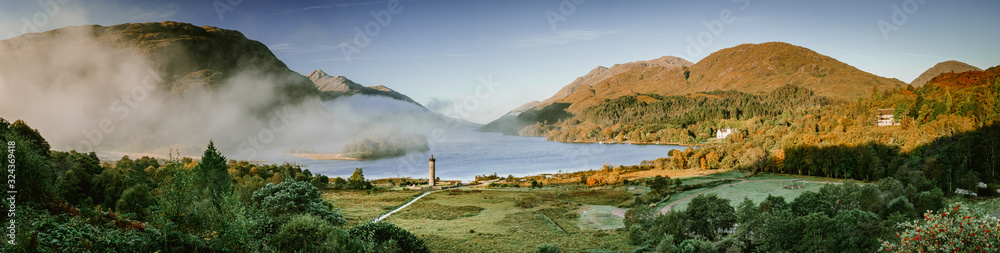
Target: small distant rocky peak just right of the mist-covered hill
331, 87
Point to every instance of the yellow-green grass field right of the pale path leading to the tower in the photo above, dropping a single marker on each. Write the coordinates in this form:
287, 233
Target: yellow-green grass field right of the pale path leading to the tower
511, 220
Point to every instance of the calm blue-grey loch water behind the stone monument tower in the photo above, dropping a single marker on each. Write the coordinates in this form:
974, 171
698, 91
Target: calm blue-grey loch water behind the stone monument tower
463, 154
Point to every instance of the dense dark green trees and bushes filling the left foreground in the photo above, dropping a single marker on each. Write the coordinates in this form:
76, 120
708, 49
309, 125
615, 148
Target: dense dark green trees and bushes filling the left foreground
73, 202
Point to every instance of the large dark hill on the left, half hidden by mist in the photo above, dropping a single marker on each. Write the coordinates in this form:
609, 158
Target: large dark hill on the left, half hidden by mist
146, 86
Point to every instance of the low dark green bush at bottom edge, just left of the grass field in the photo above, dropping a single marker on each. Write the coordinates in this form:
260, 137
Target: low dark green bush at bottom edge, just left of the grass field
384, 237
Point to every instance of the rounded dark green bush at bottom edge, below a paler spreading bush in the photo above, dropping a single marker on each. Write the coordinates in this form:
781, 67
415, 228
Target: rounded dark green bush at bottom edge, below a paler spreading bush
307, 233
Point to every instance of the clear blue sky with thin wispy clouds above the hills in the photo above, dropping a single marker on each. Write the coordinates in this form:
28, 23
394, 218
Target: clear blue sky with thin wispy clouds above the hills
440, 52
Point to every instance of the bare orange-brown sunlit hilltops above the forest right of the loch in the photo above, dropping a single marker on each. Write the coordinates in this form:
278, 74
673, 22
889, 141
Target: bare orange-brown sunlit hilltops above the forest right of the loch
750, 68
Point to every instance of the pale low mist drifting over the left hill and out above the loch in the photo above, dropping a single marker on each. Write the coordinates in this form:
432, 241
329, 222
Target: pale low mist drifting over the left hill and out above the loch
94, 89
